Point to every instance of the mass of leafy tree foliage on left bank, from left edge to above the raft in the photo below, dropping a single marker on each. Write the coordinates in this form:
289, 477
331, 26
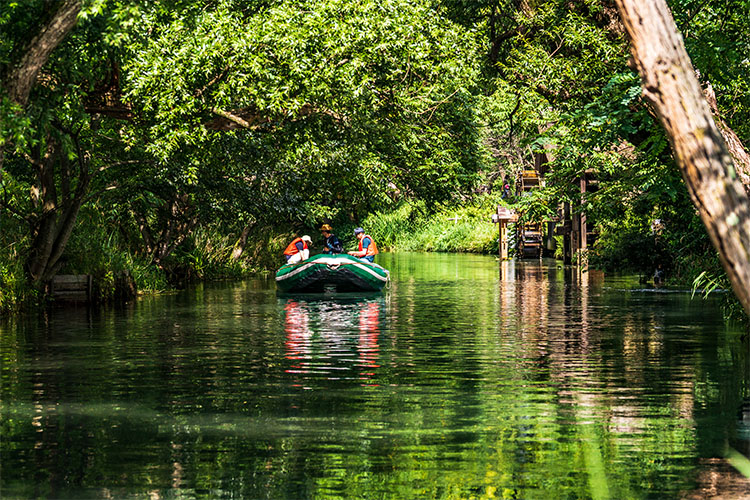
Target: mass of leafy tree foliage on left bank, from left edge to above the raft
353, 106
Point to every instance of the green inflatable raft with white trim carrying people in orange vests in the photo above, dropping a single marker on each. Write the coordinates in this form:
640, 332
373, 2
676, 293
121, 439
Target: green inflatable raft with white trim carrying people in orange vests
328, 273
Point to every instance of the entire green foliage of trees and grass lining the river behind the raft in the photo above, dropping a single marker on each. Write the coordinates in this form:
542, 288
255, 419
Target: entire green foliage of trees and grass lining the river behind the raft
398, 114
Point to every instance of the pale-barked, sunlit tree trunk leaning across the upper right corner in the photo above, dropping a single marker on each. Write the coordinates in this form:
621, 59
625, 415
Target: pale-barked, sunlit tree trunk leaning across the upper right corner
670, 84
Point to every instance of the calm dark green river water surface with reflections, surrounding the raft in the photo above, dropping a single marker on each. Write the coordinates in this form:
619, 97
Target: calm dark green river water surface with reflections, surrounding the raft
465, 379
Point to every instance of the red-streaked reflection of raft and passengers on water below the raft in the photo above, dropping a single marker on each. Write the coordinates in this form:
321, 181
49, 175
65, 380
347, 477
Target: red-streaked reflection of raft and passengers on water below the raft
335, 338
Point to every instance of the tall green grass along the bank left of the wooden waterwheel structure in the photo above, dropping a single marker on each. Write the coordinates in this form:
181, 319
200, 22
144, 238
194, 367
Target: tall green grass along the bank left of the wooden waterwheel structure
98, 248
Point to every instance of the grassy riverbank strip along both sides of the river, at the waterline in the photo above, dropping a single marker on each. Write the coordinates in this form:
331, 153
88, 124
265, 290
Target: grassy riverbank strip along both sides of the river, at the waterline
210, 254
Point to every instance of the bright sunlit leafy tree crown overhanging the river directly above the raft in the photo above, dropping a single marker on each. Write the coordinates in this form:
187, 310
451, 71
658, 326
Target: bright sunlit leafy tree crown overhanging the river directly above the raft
357, 102
